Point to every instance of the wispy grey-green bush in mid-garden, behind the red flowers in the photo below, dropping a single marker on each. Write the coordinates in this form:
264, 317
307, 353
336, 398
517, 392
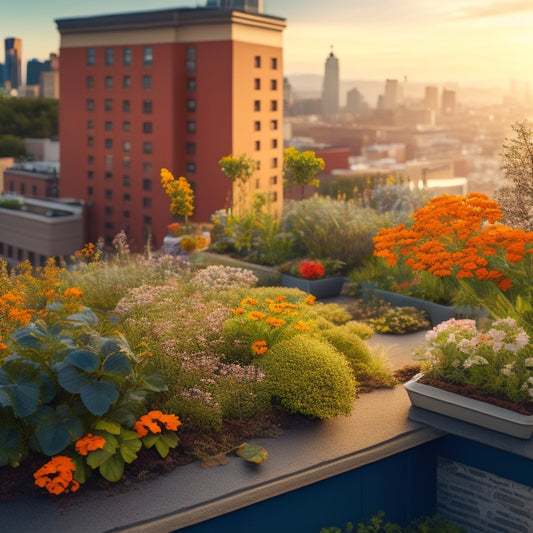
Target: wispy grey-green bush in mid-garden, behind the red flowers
326, 228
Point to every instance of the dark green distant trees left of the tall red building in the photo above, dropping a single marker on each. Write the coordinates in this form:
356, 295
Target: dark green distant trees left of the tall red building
29, 117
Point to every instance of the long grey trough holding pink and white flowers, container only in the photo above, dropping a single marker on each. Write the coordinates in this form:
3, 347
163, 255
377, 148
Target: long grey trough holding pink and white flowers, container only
469, 410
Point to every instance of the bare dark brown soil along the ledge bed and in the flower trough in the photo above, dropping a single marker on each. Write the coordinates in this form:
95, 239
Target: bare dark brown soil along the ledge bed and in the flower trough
195, 445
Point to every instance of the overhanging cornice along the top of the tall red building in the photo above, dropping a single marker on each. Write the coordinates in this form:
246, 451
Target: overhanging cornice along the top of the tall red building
165, 18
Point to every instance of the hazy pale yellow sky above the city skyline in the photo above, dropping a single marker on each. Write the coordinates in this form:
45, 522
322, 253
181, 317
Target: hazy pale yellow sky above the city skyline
425, 40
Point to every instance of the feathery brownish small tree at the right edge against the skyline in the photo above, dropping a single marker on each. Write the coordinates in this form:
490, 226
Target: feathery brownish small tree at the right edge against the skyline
516, 199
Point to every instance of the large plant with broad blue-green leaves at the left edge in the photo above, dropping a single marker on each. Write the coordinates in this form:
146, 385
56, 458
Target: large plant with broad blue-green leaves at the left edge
61, 379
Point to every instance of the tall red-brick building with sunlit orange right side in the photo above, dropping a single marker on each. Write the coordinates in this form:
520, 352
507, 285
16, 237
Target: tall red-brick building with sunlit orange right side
176, 89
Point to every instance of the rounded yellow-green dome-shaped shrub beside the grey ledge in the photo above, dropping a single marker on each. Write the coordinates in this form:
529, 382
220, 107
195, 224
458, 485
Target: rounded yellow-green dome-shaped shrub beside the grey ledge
310, 377
